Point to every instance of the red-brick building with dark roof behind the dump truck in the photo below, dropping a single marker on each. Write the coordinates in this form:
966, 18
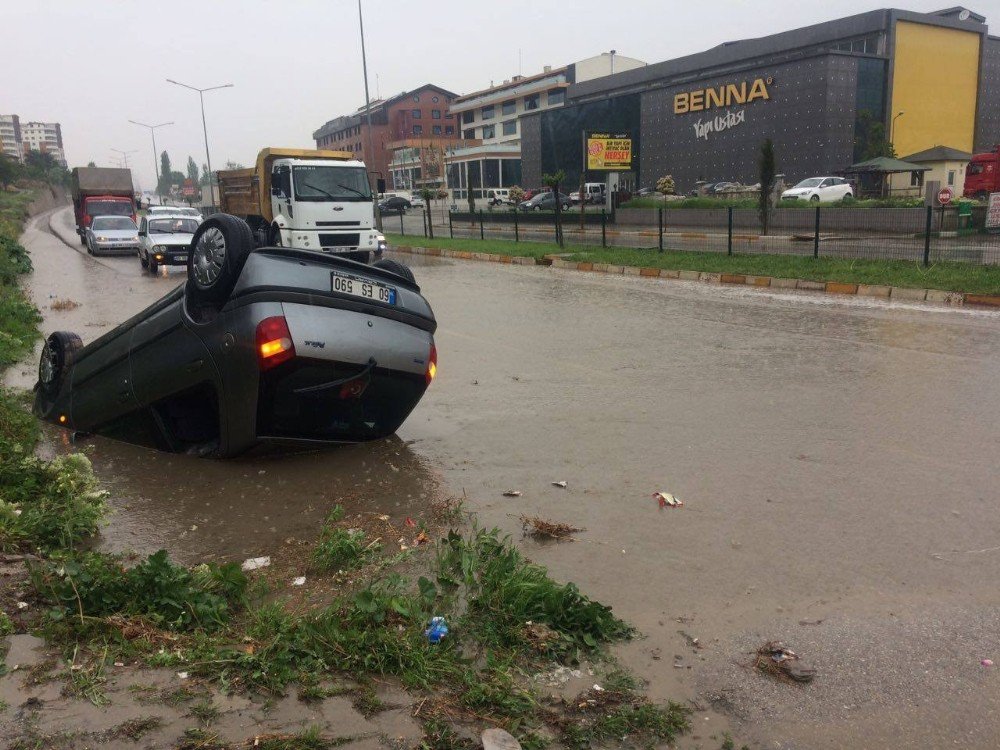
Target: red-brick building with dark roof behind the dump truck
421, 113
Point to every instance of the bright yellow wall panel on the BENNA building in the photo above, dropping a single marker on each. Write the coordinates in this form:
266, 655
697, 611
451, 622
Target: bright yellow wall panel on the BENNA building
935, 78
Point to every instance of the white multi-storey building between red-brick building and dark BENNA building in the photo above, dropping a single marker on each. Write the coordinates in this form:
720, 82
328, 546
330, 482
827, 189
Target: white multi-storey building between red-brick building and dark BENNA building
491, 116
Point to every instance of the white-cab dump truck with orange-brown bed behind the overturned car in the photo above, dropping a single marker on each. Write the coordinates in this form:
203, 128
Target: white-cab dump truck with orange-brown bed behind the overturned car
311, 200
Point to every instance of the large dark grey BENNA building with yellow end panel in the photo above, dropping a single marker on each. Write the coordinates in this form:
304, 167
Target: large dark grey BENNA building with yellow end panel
824, 94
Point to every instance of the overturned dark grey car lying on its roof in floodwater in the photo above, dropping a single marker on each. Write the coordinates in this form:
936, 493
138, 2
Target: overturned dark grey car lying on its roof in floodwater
273, 345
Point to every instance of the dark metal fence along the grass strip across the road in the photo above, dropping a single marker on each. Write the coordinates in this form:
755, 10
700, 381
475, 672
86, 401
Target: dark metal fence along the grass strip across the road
922, 235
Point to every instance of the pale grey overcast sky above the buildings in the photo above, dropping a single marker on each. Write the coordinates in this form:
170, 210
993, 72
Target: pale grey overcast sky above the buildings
296, 63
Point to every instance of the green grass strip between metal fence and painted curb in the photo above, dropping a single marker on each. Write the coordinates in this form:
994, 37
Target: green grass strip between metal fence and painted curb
946, 276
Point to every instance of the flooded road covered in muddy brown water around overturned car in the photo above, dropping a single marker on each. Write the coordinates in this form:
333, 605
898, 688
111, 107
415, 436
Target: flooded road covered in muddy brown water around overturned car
837, 460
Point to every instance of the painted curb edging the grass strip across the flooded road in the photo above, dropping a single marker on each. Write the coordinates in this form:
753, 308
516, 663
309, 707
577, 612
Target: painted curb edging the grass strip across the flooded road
938, 296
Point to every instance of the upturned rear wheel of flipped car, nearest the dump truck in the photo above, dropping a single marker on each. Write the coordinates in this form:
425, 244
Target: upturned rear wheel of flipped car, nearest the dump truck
218, 251
